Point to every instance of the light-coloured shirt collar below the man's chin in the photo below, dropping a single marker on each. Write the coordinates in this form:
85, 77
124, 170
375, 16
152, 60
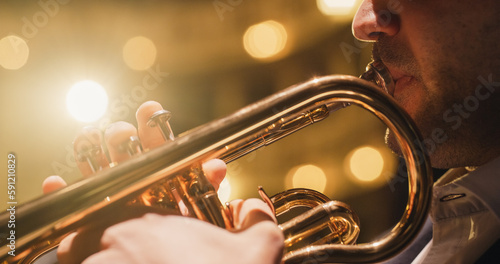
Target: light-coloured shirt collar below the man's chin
465, 215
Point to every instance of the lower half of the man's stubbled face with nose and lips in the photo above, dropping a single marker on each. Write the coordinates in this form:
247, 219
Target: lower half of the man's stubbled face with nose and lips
445, 59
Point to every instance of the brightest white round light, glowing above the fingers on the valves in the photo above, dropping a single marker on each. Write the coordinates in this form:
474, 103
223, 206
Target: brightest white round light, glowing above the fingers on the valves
87, 101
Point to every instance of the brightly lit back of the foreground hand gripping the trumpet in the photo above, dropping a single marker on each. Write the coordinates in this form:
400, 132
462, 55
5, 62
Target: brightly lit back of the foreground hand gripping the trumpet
175, 239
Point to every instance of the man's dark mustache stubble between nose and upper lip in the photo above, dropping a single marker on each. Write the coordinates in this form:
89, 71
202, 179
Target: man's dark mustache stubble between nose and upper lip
396, 55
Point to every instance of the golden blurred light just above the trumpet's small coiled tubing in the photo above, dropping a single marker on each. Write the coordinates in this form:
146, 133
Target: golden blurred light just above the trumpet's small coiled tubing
307, 176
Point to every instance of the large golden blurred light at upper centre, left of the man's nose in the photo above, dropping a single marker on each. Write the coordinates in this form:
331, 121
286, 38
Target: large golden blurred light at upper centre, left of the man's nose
265, 40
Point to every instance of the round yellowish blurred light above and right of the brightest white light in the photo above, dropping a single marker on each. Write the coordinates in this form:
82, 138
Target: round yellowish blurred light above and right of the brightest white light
139, 53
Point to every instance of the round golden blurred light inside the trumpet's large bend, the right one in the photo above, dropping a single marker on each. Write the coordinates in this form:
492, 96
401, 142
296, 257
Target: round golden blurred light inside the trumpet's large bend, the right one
366, 163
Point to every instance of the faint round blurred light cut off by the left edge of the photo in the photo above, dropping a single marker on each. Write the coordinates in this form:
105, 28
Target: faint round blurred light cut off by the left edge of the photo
14, 52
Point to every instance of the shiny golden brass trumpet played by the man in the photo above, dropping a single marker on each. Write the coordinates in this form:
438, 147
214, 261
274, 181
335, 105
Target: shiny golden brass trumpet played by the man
176, 165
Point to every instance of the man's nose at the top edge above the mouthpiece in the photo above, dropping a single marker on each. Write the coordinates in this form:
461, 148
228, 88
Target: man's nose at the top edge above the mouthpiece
372, 21
